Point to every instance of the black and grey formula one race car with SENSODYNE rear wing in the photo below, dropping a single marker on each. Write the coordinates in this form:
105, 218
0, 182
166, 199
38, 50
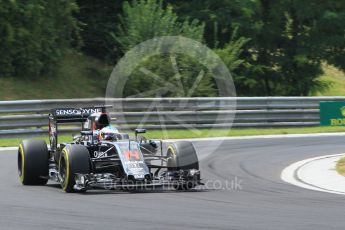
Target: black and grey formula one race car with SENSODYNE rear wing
102, 157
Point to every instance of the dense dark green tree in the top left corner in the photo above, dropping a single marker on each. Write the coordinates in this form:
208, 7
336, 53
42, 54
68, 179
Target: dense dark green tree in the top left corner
34, 35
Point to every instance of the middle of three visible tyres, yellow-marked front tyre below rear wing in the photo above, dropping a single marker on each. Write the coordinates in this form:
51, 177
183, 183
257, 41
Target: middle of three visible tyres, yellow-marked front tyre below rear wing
74, 159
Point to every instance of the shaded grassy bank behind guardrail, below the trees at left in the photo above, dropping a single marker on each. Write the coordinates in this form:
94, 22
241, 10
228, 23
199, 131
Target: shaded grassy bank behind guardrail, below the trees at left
78, 77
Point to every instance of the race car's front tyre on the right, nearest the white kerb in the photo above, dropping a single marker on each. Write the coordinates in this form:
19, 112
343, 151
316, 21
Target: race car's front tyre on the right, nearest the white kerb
182, 155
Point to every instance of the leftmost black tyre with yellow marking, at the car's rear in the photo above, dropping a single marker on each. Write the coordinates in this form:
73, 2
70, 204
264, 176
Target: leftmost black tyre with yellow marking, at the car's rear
33, 162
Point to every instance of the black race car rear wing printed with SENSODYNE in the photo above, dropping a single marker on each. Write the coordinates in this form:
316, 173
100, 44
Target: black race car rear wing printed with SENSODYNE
69, 115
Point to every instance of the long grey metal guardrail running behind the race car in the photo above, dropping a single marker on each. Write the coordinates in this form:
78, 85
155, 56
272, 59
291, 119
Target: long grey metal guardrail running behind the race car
29, 117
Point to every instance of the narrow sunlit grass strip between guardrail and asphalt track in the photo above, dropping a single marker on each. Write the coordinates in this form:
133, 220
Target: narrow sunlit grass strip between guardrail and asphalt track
183, 134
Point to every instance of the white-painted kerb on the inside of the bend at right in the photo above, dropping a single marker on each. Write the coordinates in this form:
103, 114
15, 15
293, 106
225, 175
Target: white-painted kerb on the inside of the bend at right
317, 173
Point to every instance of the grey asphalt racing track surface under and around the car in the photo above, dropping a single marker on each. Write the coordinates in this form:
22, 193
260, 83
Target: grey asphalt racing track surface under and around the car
260, 200
